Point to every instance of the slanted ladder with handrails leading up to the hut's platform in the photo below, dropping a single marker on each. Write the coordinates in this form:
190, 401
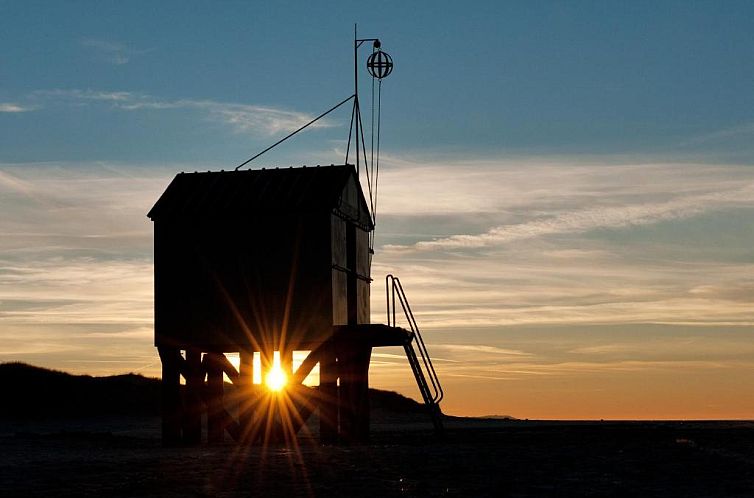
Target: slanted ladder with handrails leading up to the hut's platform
431, 391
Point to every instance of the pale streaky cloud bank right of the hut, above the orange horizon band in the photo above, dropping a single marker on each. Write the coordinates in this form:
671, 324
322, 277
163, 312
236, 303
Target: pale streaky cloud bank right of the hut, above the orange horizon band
567, 243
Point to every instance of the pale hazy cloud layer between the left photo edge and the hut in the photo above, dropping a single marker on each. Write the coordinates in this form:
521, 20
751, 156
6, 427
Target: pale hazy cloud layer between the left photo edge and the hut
76, 263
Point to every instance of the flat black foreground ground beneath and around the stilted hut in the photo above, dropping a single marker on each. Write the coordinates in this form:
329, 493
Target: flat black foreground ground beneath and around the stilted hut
112, 458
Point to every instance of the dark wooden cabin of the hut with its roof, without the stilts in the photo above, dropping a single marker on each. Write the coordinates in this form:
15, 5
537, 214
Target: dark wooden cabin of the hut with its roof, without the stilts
260, 256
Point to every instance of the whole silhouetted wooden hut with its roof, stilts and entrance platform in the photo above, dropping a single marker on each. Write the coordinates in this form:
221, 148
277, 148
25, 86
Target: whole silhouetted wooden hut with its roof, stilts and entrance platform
259, 261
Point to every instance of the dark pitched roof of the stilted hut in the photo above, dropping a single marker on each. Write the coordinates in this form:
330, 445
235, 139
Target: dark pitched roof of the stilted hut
264, 191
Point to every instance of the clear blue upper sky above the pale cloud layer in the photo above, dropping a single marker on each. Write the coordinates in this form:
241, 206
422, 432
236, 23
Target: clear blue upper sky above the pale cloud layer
546, 77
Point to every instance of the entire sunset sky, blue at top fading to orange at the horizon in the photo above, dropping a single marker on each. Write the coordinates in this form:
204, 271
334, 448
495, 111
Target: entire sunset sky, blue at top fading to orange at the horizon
566, 188
